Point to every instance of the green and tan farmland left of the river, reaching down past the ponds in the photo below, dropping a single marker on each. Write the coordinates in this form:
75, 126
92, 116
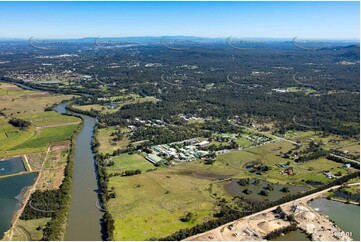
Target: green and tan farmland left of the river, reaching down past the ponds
43, 144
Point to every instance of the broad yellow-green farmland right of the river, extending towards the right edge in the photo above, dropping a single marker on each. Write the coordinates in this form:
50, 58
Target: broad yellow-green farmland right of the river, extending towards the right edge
194, 187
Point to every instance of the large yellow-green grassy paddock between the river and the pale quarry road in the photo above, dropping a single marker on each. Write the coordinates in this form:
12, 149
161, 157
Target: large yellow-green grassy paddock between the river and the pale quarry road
154, 202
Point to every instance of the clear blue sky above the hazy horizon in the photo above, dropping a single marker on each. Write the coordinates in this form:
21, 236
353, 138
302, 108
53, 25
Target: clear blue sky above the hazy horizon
320, 20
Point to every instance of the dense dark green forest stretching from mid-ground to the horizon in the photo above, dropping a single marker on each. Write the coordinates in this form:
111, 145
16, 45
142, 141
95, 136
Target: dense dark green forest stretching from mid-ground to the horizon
210, 80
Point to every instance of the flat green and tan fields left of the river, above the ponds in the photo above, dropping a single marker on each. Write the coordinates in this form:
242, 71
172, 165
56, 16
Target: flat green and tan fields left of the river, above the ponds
30, 105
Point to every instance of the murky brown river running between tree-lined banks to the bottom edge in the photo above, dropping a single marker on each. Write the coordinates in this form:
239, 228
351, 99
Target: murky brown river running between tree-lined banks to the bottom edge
84, 222
